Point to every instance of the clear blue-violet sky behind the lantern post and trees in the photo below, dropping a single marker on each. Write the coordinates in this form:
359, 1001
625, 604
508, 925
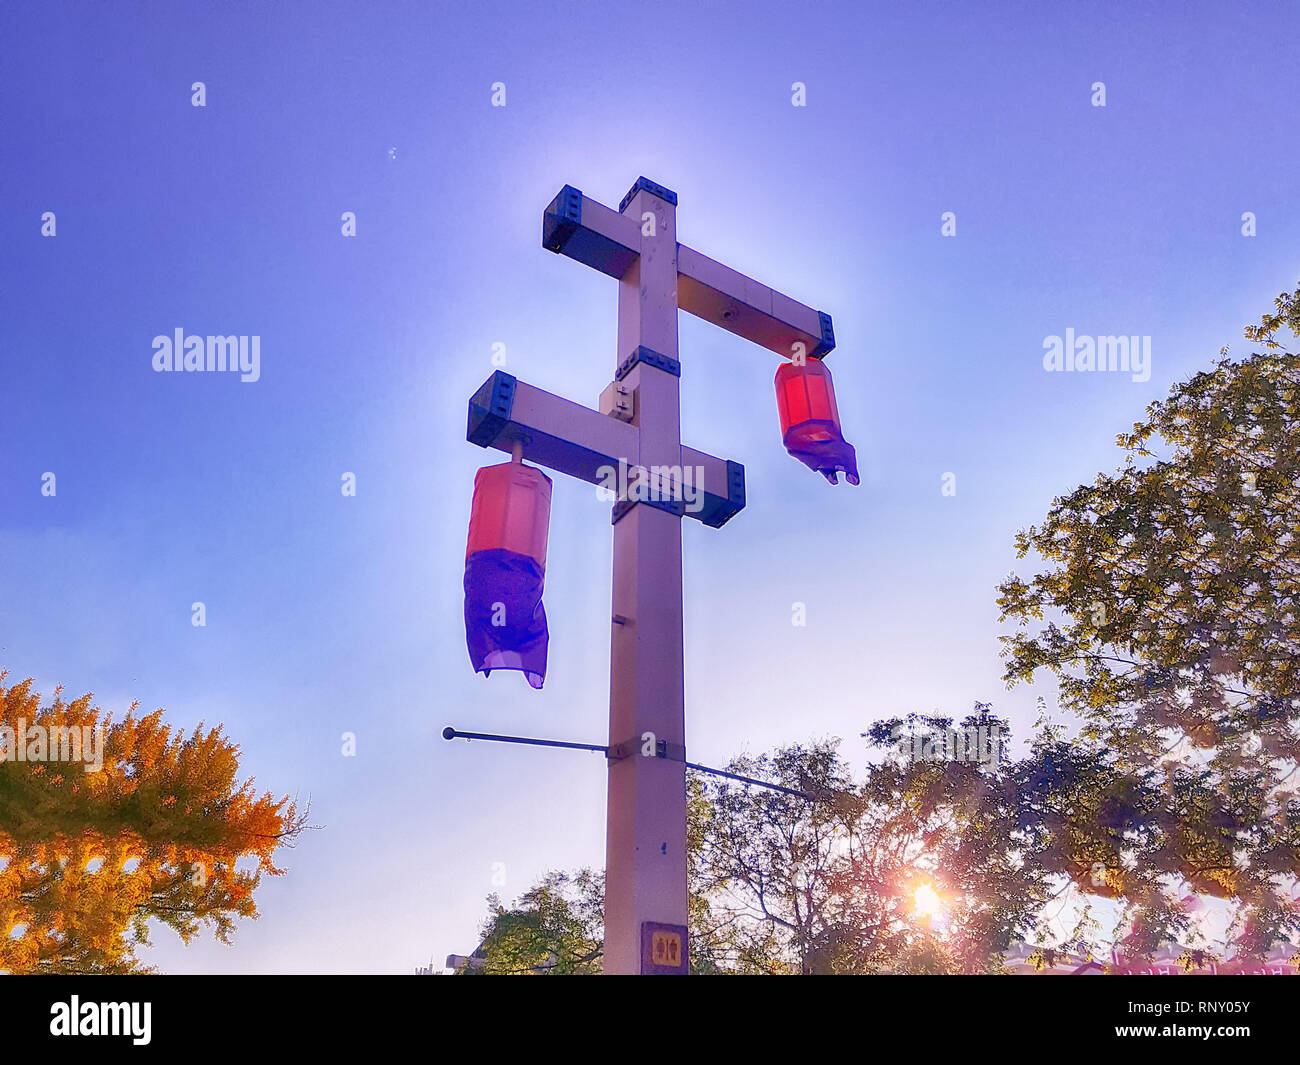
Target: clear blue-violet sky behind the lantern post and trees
330, 614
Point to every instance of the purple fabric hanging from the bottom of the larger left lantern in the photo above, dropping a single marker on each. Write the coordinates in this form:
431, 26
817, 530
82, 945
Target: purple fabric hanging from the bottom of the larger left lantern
505, 618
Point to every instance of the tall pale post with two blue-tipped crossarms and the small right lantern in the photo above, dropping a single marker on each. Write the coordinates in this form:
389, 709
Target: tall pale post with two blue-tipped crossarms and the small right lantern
634, 443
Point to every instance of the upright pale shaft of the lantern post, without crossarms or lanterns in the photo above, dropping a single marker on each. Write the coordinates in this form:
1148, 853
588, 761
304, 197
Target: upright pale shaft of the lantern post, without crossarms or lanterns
647, 834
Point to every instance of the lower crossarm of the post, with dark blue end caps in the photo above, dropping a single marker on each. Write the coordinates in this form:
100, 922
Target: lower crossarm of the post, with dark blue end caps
582, 443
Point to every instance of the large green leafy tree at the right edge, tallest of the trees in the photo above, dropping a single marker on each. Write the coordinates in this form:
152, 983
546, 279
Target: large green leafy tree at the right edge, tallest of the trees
1167, 612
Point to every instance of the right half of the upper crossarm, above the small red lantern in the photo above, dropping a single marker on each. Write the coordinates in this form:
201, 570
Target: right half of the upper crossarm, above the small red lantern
742, 306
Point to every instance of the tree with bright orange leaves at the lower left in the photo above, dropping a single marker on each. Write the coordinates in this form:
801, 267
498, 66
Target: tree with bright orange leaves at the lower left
161, 829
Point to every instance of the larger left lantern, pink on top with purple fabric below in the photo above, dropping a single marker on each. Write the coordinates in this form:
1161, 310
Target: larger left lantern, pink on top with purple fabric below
506, 570
